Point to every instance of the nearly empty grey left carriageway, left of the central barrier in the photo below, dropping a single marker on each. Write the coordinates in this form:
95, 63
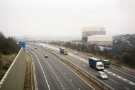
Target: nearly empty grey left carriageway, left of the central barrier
52, 74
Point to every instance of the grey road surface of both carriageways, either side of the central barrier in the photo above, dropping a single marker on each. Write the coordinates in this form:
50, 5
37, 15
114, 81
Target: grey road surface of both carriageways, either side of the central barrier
60, 77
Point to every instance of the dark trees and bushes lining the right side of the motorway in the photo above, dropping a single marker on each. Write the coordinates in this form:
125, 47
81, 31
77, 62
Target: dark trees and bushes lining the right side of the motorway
123, 49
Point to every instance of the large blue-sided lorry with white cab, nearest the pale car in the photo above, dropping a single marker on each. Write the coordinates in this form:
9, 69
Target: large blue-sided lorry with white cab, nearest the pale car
96, 63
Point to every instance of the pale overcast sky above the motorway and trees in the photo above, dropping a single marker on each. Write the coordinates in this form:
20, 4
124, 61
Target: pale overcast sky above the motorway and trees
65, 18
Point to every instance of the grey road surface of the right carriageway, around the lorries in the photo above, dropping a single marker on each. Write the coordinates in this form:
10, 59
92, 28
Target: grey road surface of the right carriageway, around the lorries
118, 79
